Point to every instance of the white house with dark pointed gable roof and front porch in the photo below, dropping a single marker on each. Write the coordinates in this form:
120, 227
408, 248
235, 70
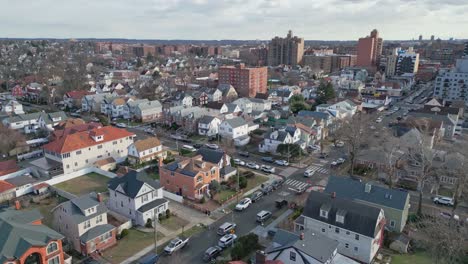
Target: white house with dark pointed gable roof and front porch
137, 197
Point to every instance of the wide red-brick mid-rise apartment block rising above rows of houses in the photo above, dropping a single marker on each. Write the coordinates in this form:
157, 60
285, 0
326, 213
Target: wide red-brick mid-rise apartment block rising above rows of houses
247, 81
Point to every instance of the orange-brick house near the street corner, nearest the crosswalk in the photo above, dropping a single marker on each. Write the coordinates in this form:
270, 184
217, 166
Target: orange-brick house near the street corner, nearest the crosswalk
189, 177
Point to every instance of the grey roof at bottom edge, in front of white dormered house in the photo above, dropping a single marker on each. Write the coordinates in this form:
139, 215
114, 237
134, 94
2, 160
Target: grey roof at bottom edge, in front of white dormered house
314, 245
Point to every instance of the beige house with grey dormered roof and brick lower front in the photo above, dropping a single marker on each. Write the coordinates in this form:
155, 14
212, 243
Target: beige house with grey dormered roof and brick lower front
83, 221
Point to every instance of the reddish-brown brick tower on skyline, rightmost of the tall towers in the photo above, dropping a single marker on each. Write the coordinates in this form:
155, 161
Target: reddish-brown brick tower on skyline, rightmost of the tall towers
369, 50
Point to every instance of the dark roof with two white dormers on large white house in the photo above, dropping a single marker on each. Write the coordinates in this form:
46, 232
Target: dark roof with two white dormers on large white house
360, 218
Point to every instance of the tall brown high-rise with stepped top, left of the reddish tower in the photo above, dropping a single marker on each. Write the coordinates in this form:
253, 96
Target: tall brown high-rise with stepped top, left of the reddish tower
287, 50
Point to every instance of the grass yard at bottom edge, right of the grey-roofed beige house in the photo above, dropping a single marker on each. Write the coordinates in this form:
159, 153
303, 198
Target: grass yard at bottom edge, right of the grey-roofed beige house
129, 245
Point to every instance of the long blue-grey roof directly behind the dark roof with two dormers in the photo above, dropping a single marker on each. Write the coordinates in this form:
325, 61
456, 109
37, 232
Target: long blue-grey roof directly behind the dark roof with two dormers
347, 188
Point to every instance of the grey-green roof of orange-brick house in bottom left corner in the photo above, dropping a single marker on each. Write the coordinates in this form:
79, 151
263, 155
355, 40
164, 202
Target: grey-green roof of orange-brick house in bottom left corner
19, 234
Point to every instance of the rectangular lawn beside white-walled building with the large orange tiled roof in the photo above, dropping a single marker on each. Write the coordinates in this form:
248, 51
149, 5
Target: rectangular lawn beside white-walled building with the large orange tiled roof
91, 182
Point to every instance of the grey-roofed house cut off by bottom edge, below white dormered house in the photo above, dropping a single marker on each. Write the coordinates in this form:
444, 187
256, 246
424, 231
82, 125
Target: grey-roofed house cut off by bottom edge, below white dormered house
305, 247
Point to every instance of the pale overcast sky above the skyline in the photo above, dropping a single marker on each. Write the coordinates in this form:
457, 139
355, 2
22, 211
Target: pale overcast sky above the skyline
233, 19
